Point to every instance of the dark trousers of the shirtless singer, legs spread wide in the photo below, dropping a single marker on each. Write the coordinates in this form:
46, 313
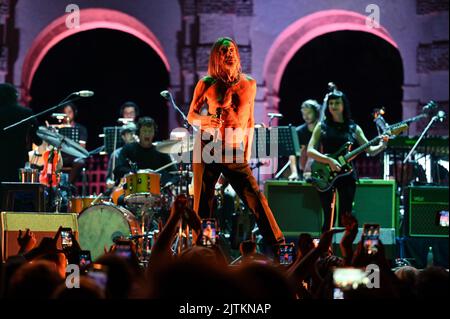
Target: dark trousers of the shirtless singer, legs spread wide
244, 183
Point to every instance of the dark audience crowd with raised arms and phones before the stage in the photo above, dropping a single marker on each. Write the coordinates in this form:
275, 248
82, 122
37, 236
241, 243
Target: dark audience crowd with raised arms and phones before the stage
43, 271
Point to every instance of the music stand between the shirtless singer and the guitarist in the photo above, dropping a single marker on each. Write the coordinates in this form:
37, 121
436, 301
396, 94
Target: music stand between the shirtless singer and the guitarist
285, 138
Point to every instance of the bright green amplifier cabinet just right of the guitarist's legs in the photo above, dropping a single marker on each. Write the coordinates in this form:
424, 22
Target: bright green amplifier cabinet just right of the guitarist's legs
375, 202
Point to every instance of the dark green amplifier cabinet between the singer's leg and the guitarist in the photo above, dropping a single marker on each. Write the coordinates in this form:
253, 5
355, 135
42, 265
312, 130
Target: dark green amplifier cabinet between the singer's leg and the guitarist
296, 206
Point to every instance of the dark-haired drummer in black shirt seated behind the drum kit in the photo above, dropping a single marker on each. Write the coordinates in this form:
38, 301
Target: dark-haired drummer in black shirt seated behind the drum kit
143, 155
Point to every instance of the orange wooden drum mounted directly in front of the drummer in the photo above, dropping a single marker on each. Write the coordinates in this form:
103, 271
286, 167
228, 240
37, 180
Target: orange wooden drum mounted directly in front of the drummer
142, 186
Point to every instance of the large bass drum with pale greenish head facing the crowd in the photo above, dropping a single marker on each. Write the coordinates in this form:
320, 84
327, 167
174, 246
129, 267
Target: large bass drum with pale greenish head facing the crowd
100, 225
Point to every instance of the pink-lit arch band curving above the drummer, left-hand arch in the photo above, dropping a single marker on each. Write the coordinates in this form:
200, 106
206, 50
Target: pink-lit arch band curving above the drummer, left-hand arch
90, 19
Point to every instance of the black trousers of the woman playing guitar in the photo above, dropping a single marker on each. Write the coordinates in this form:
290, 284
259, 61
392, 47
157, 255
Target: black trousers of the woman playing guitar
346, 187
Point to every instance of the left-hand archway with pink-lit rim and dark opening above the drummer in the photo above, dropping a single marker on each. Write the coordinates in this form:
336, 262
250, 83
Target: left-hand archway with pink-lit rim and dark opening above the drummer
112, 54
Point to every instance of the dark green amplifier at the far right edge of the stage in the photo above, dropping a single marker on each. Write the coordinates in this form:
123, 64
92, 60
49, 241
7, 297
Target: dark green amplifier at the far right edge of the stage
428, 211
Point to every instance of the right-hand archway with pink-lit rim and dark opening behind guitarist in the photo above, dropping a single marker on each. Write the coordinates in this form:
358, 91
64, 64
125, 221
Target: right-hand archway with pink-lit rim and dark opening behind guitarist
338, 46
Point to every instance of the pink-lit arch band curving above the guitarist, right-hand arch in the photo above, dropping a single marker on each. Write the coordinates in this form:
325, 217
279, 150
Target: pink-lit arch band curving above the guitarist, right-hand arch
301, 32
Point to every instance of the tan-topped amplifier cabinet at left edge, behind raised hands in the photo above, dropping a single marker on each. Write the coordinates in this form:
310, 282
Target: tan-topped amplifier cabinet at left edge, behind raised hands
42, 225
